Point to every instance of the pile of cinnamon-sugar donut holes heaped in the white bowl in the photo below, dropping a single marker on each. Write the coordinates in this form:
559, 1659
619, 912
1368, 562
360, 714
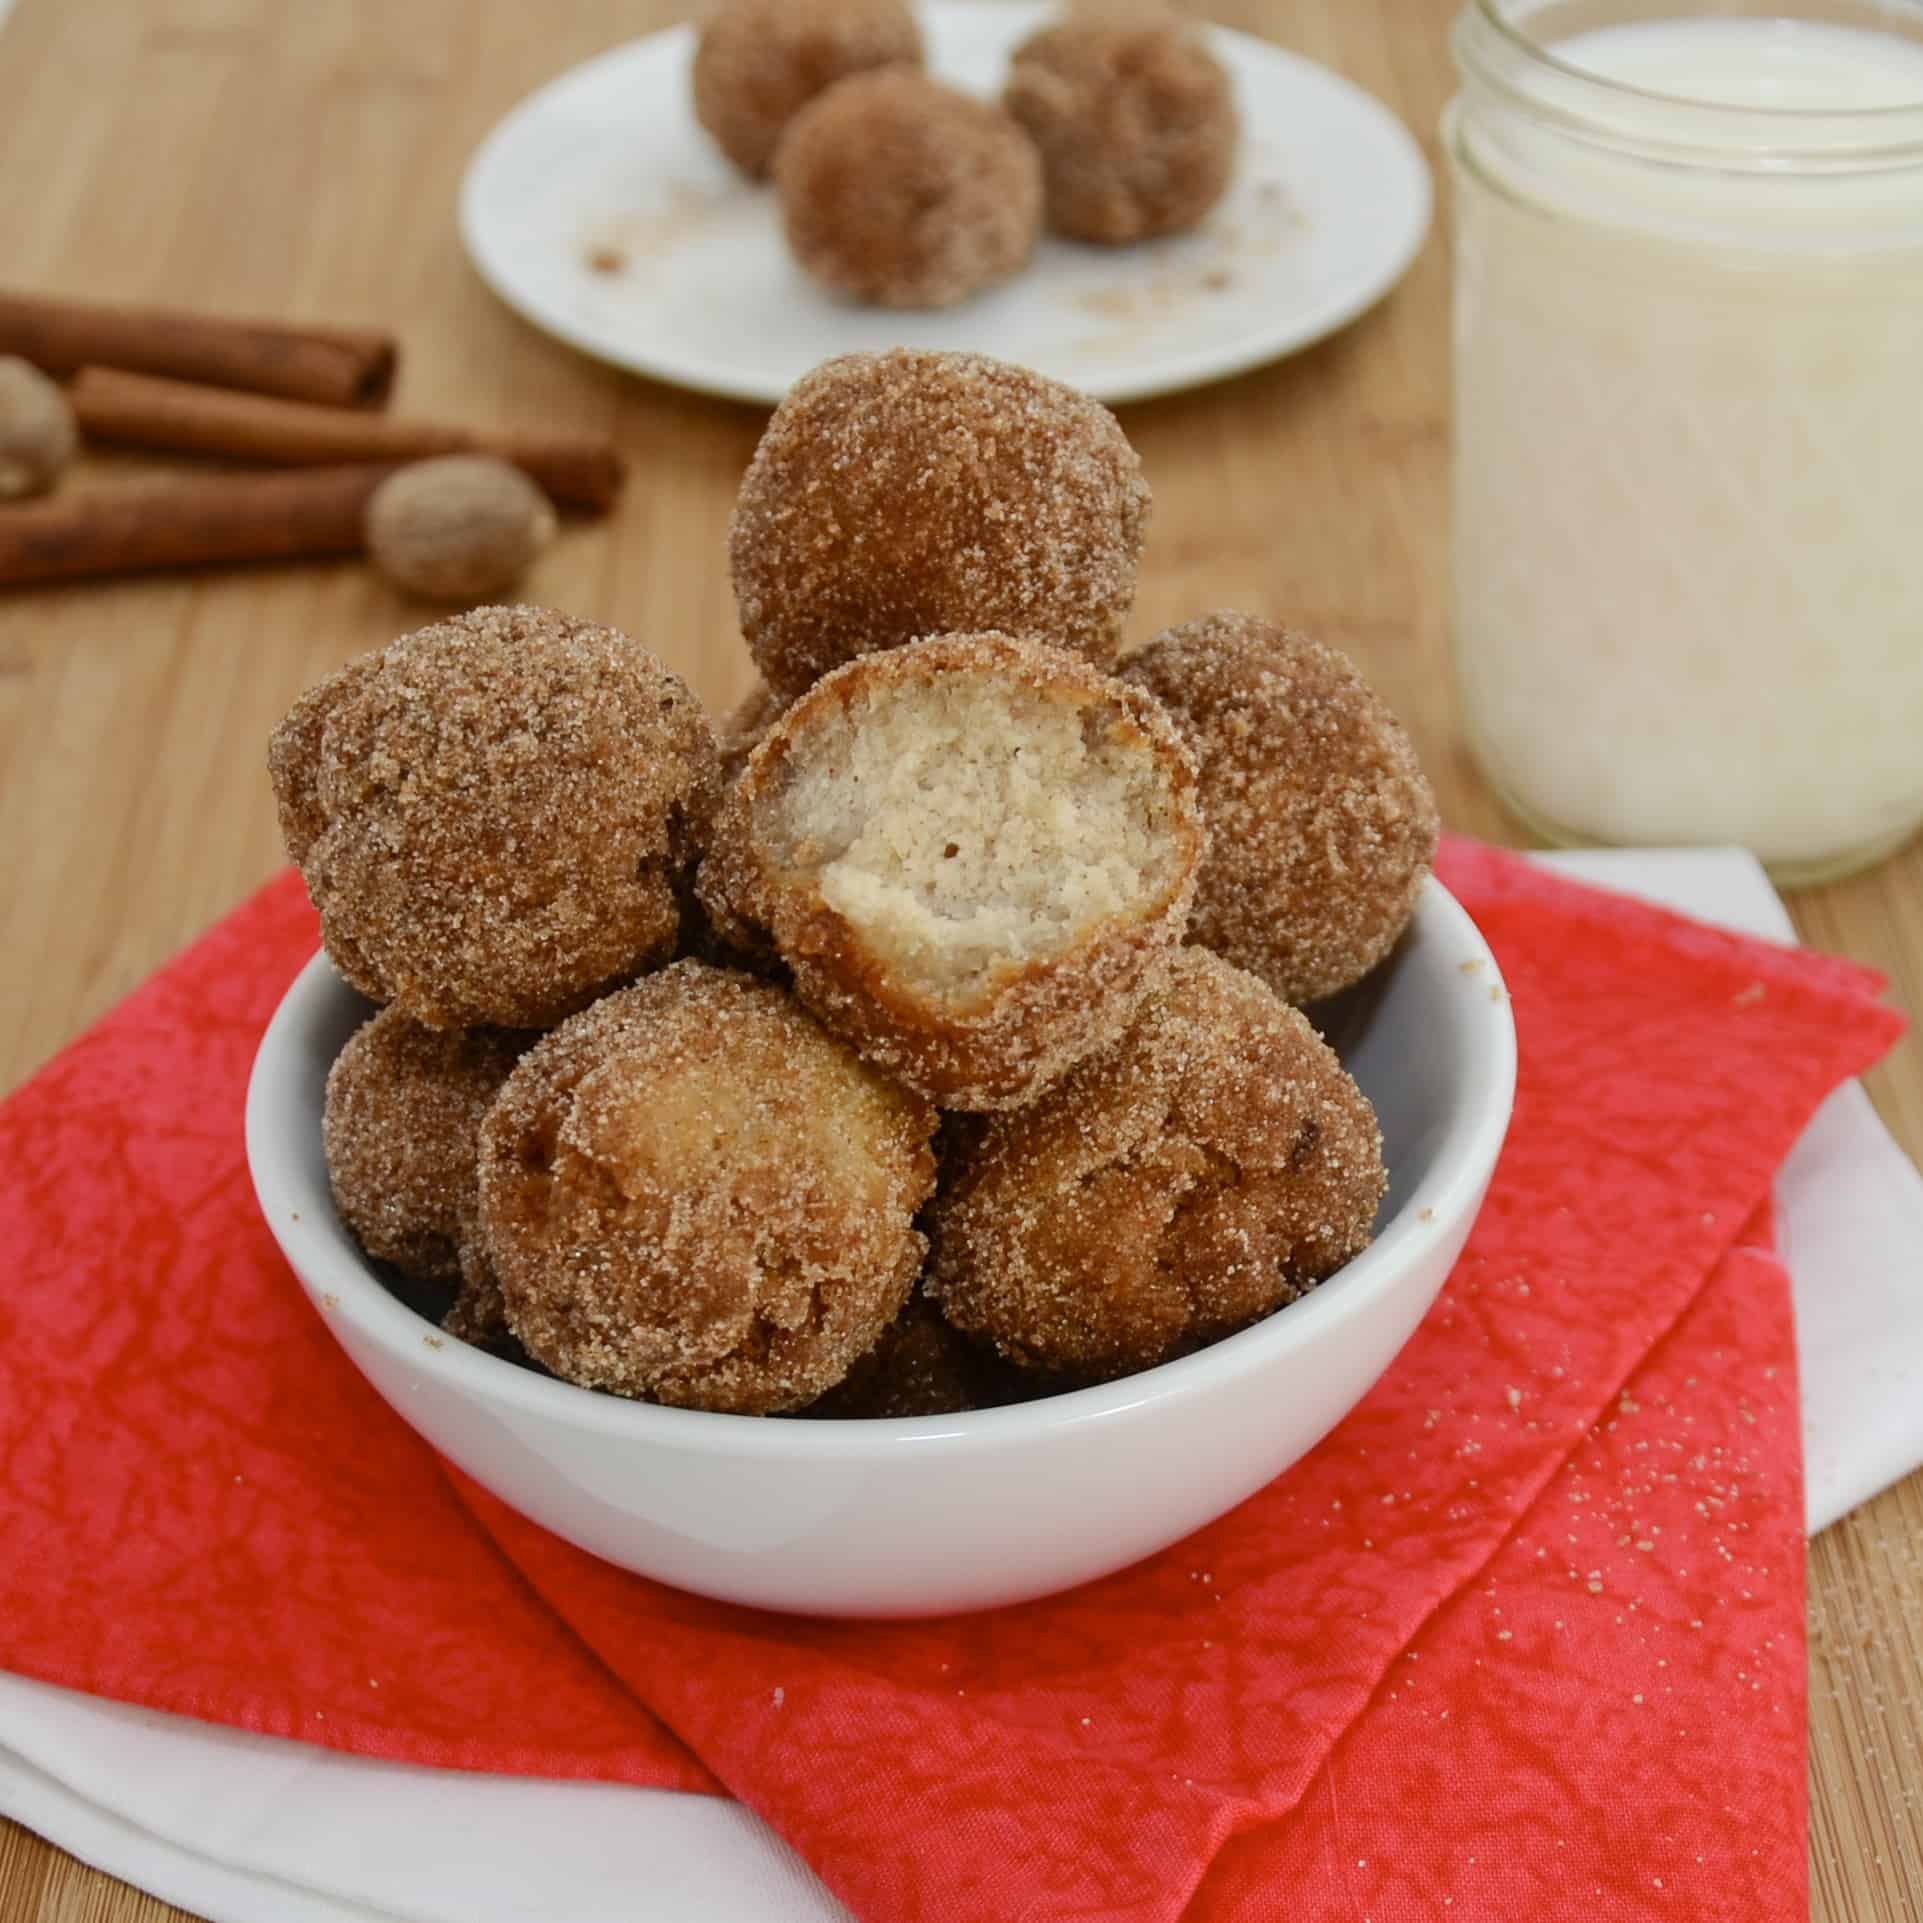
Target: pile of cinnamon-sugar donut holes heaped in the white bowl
926, 1036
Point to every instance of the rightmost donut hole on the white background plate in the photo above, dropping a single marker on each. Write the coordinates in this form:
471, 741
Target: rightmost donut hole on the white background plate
1136, 124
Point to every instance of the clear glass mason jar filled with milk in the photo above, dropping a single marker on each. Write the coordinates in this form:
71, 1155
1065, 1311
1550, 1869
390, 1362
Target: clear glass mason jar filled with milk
1689, 420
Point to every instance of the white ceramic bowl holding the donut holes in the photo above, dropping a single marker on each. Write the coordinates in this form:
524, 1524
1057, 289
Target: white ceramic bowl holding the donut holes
937, 1512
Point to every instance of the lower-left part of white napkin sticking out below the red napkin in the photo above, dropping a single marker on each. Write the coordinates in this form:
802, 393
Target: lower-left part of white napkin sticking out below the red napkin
253, 1830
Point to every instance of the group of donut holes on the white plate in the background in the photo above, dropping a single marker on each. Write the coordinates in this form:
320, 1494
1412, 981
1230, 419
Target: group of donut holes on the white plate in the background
1116, 124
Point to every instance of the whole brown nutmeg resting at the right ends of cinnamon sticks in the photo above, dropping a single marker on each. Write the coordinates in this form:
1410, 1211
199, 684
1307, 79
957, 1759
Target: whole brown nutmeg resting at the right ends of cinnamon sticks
461, 528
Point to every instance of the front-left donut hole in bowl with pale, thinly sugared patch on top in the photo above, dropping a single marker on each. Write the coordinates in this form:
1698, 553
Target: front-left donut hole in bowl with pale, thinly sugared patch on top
691, 1193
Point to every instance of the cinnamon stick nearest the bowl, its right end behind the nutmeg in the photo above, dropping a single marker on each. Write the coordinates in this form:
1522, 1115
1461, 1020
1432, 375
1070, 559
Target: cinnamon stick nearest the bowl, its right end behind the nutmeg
187, 524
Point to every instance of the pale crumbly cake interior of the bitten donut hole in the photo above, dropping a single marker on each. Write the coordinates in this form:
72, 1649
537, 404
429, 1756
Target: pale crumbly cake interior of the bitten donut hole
968, 824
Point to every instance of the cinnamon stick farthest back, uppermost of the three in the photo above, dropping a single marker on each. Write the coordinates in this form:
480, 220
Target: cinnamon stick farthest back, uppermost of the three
336, 366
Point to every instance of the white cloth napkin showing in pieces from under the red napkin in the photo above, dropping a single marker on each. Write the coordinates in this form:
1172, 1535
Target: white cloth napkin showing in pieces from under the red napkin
249, 1830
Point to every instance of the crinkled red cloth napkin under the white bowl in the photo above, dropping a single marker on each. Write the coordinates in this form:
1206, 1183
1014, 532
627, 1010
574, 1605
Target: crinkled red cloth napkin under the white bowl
1526, 1630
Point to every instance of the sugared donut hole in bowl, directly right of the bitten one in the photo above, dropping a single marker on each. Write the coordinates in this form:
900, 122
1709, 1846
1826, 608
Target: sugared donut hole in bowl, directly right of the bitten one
1324, 822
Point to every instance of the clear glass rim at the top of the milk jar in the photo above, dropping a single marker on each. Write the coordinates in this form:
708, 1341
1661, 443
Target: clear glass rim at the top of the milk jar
1495, 49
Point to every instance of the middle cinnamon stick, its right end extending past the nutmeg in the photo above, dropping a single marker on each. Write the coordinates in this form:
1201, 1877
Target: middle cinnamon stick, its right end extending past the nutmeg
186, 418
